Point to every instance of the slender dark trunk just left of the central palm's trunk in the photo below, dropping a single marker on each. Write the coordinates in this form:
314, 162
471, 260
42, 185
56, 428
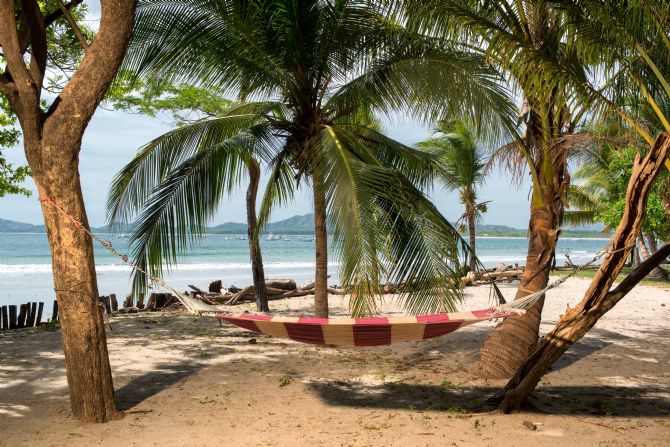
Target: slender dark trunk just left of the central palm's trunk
260, 288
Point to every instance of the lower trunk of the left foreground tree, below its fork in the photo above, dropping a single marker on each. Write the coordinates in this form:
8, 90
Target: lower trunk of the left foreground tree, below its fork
89, 374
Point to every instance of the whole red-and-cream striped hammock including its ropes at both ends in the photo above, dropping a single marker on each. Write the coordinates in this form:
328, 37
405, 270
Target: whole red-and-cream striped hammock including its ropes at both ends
376, 331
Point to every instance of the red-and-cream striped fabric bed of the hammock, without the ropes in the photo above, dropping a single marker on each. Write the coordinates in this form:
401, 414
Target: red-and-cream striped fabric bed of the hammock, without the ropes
362, 331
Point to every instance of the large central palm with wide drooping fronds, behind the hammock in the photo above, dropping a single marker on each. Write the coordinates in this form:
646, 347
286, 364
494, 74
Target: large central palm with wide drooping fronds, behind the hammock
317, 72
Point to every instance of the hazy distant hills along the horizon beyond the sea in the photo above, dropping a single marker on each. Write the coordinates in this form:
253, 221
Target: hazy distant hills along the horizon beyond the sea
293, 225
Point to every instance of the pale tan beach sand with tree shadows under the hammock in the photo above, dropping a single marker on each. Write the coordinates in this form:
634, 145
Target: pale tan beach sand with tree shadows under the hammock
186, 381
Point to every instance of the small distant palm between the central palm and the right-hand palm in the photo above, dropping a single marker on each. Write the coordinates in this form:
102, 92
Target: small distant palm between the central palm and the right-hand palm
462, 162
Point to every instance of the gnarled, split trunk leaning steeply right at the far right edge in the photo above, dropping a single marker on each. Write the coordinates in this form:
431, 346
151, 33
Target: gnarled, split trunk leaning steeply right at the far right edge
598, 299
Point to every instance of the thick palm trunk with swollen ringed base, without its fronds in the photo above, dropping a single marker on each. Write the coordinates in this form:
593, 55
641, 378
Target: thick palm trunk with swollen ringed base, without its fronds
515, 338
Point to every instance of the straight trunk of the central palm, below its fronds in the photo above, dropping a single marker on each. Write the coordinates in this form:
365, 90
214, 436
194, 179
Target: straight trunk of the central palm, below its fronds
321, 236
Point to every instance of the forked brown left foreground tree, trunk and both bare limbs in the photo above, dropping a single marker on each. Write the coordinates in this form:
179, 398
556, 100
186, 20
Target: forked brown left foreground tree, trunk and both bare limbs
52, 142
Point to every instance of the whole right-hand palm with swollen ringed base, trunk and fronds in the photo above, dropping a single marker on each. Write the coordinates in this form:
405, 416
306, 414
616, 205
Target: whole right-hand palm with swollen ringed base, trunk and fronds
513, 35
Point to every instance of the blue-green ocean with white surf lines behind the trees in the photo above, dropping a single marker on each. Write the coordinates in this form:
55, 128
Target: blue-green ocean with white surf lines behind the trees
25, 262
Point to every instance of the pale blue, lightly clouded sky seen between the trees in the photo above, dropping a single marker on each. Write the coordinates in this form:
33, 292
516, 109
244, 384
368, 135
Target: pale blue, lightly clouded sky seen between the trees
113, 137
